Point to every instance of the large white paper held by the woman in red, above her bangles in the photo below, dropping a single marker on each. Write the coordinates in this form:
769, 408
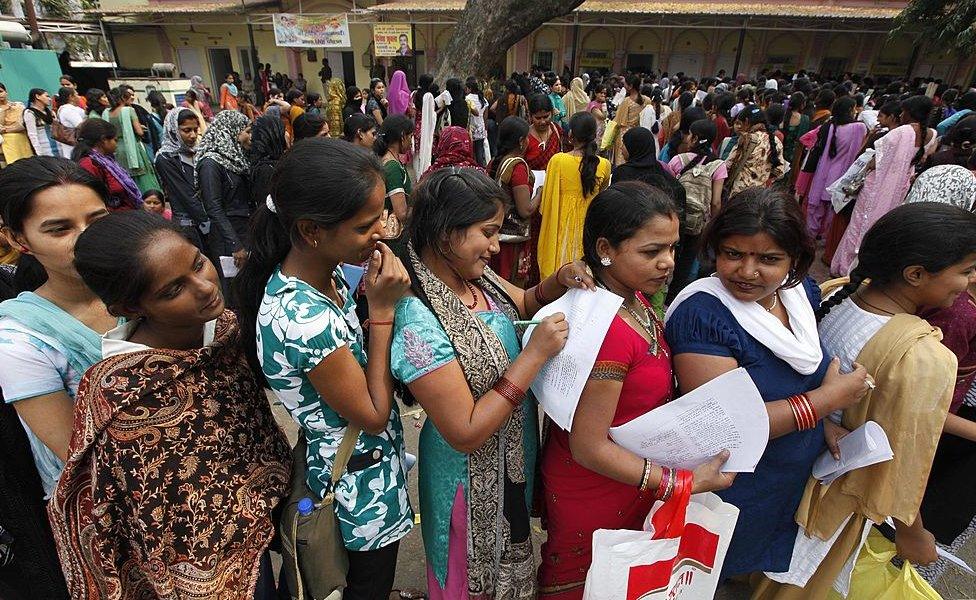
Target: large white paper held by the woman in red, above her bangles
725, 413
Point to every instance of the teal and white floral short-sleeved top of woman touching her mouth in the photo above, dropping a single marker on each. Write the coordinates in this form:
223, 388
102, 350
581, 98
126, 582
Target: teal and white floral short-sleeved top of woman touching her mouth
297, 328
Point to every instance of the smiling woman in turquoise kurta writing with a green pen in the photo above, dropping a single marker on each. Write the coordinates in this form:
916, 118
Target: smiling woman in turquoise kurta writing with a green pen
456, 349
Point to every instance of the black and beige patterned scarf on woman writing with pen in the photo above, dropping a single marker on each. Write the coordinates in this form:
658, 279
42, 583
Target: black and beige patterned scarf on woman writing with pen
498, 565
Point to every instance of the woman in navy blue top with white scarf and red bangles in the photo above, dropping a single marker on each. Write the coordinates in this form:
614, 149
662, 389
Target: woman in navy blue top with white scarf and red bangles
756, 312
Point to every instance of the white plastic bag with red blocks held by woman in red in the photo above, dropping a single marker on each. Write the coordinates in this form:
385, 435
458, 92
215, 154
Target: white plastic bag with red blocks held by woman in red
632, 565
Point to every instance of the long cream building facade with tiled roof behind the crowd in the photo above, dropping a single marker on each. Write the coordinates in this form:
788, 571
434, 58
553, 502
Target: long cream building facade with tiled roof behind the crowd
698, 38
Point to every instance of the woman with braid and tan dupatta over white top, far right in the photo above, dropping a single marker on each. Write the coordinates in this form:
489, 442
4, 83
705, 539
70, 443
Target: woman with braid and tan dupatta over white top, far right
918, 256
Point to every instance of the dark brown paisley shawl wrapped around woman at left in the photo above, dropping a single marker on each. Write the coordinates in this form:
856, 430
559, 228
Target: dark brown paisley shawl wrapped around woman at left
174, 466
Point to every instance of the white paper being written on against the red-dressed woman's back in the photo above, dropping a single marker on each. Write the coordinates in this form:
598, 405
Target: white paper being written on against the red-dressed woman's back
560, 382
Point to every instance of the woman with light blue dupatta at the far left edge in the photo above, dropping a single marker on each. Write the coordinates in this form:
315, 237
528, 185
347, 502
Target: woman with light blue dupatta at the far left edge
49, 337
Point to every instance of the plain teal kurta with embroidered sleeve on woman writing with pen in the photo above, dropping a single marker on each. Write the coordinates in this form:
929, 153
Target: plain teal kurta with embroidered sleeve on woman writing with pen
421, 346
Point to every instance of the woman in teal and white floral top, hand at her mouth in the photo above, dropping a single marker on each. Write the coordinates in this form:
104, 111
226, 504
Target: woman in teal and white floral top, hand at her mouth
304, 338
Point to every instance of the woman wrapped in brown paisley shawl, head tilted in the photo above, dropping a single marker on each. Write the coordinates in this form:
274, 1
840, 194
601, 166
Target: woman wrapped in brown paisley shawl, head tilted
174, 417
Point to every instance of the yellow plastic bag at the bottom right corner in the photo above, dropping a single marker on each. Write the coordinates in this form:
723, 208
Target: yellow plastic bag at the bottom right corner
875, 578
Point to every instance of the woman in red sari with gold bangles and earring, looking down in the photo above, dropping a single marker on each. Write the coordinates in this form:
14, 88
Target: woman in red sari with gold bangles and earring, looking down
590, 482
